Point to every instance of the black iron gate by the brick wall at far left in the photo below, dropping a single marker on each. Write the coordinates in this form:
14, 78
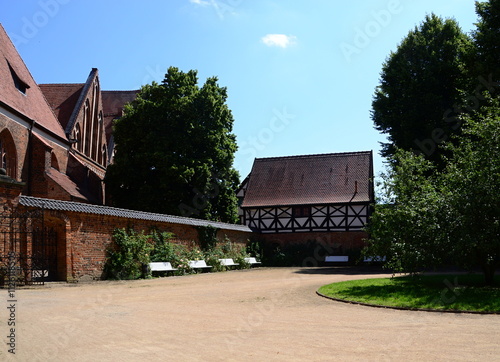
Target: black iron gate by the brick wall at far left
28, 253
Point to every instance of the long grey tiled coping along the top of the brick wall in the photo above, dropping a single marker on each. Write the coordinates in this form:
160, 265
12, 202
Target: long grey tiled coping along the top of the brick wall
49, 204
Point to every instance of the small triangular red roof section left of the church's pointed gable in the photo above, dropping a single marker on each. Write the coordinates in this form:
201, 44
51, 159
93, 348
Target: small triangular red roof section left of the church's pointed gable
62, 98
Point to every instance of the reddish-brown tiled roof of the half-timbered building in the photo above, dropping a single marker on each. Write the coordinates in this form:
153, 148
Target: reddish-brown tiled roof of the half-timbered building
312, 179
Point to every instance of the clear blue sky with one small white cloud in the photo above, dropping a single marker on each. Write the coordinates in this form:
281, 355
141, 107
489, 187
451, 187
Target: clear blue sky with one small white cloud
300, 73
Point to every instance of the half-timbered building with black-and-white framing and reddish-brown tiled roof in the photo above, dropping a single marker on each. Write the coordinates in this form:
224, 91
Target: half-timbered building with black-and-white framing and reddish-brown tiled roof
300, 198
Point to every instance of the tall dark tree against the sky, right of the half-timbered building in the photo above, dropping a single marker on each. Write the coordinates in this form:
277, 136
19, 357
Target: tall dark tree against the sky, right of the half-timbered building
421, 83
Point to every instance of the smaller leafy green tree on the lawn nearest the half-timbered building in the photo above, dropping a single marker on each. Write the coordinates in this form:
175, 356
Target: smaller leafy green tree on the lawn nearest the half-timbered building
406, 229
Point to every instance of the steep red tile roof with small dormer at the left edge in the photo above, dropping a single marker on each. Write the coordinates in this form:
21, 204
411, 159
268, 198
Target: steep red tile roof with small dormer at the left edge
32, 104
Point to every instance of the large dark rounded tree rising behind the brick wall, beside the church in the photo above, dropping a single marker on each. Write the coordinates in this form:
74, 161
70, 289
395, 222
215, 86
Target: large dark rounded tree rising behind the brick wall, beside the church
175, 150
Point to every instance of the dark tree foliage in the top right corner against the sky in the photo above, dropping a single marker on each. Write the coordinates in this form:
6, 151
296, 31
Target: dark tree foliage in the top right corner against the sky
487, 40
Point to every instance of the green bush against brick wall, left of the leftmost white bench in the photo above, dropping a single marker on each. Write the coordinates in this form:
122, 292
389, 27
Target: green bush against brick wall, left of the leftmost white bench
128, 256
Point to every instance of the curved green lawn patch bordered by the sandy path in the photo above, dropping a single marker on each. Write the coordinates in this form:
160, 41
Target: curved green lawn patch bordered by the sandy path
464, 292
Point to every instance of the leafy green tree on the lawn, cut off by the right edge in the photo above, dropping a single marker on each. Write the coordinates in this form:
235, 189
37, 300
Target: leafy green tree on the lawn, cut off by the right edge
472, 184
